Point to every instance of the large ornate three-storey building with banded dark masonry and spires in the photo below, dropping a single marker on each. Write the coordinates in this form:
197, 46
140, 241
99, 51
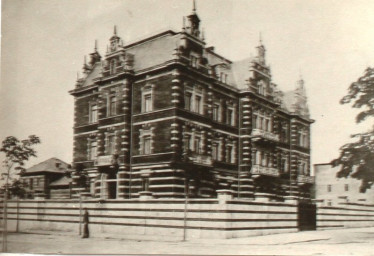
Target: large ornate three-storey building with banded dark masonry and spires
170, 116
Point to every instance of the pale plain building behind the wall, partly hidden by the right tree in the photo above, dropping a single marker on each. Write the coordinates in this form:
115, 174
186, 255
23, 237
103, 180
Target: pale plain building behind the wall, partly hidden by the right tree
330, 190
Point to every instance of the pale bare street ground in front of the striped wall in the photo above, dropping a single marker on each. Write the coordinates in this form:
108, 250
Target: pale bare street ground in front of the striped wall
358, 241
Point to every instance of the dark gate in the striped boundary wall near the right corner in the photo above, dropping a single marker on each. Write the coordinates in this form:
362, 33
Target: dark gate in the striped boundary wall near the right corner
306, 216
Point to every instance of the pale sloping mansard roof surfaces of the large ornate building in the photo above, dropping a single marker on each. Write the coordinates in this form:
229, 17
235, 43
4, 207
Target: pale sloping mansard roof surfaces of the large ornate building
160, 48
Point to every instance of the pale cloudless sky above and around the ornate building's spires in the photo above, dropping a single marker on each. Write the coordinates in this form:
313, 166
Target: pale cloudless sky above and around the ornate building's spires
43, 42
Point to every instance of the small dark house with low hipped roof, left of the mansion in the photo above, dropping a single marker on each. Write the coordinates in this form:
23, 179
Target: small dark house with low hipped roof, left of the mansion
47, 179
